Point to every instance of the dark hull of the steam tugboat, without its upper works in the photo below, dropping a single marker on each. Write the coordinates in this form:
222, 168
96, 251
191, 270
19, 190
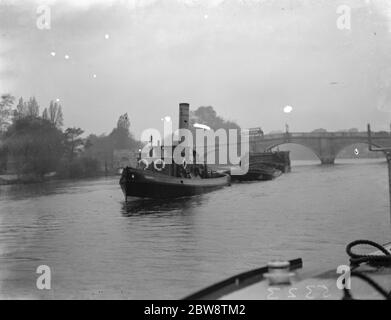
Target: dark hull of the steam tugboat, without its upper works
147, 184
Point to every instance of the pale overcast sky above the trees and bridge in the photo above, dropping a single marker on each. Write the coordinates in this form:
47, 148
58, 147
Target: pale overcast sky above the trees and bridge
246, 58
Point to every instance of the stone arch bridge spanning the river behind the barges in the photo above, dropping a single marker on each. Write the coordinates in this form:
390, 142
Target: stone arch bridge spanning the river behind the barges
326, 145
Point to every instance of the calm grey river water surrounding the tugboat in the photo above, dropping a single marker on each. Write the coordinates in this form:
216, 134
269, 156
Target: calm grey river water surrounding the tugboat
98, 247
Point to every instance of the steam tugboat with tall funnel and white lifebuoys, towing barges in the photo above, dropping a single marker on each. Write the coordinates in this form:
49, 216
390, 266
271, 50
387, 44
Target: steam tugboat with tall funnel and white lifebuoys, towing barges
162, 180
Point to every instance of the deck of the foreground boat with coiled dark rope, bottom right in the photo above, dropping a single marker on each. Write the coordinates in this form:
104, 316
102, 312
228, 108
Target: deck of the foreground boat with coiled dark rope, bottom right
373, 271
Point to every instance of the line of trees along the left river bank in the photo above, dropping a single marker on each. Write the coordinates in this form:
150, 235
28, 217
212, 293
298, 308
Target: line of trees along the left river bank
34, 143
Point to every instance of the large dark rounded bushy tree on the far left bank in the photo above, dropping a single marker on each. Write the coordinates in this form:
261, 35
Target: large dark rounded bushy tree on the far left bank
34, 144
